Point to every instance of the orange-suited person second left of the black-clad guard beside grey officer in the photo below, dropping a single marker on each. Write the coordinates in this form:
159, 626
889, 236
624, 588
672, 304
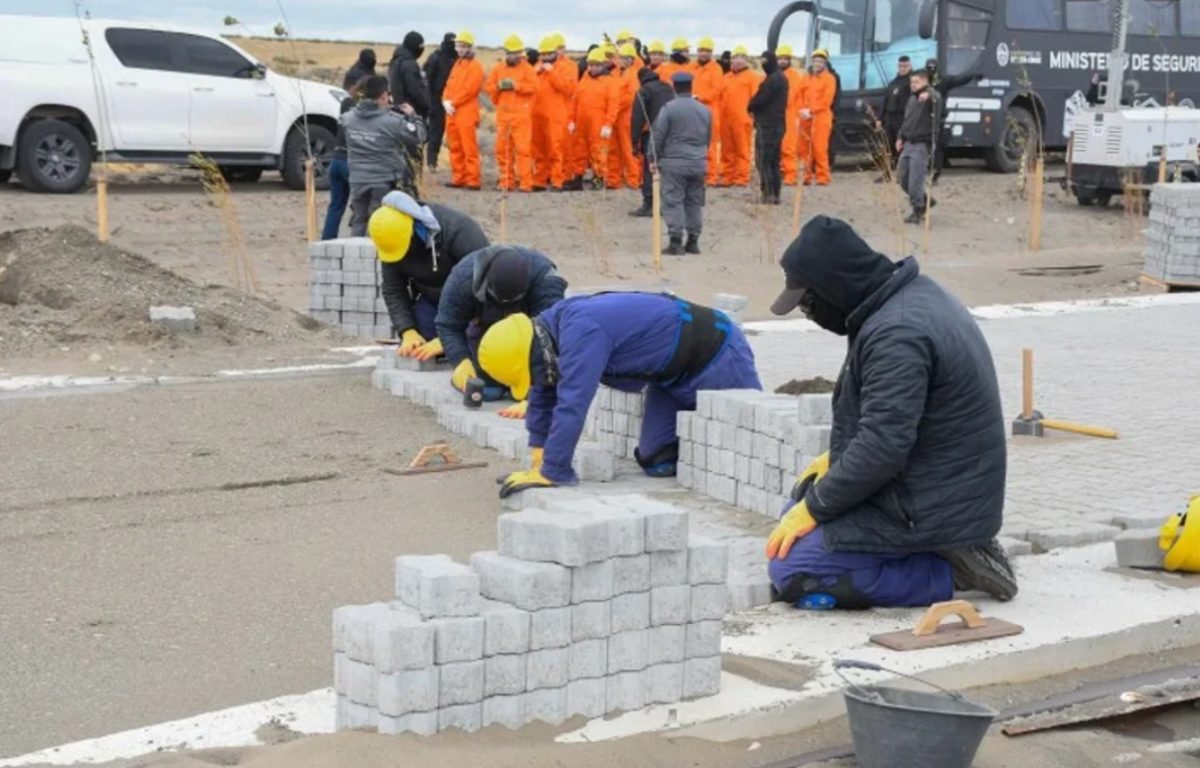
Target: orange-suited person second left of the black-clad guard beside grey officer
597, 101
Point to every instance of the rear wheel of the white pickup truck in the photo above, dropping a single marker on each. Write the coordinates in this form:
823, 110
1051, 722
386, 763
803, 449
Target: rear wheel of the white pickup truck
53, 157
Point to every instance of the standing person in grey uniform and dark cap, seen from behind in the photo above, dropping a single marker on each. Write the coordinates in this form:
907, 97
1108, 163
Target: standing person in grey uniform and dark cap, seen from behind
682, 134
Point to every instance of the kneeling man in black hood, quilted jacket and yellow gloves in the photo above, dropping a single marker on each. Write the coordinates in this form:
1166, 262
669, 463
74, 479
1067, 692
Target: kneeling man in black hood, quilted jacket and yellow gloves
905, 507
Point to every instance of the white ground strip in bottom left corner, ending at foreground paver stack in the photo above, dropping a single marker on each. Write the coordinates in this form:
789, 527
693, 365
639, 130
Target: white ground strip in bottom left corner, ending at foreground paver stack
304, 713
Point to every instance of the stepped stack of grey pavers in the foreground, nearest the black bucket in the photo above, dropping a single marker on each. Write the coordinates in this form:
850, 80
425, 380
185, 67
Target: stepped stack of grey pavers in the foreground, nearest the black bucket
587, 608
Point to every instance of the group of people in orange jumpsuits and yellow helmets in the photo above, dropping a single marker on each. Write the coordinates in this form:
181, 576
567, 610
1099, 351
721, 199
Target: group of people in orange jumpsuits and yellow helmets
557, 119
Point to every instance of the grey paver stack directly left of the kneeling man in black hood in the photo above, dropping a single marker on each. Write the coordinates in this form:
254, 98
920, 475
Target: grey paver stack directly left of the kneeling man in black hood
746, 447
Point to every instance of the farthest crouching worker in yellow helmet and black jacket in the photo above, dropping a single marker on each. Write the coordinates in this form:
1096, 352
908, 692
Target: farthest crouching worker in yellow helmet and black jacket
418, 245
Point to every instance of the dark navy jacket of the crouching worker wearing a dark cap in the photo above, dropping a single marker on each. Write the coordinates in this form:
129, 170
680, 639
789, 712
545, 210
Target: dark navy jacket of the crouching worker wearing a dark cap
465, 297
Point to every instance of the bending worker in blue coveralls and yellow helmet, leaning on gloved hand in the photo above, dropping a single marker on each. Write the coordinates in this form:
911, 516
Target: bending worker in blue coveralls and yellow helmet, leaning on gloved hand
629, 341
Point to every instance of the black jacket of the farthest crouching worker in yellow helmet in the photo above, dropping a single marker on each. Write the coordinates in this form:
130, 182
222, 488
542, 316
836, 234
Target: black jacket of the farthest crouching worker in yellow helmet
425, 268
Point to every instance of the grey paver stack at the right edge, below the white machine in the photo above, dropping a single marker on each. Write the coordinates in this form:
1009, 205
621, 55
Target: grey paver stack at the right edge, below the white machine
1173, 239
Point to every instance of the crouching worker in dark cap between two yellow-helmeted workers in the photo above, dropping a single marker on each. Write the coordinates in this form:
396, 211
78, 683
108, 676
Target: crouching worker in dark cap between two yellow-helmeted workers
483, 290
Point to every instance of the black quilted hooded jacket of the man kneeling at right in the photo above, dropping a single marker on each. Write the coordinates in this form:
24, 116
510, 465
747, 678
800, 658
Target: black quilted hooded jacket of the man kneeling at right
919, 449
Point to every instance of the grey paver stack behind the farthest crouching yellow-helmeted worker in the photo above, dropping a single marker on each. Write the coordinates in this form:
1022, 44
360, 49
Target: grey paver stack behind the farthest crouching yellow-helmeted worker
344, 287
